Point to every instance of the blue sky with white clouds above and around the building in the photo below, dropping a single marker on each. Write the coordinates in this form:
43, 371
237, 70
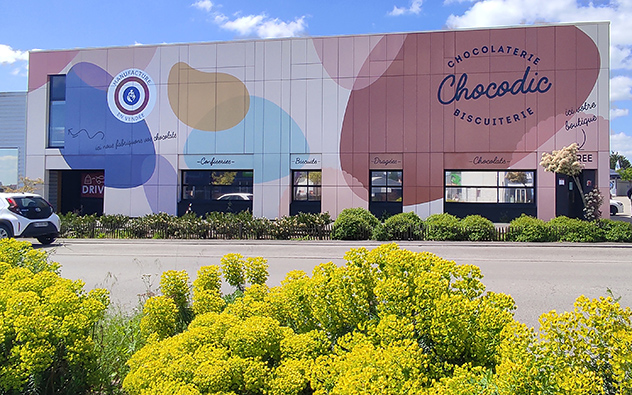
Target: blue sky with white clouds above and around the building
37, 24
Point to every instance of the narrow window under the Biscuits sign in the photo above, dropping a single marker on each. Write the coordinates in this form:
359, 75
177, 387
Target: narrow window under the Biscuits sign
306, 191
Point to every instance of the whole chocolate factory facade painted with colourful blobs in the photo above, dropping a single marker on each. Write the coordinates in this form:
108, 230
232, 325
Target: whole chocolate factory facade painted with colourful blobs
431, 122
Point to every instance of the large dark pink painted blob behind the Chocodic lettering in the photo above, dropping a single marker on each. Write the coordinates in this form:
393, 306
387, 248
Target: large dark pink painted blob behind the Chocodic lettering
480, 91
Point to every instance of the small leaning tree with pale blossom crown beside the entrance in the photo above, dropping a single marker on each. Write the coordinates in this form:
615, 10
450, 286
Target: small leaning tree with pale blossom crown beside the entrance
565, 162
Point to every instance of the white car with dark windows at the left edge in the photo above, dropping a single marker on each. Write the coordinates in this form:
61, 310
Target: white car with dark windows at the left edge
28, 215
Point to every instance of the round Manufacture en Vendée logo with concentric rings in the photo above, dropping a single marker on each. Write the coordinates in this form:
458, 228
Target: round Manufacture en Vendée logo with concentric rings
131, 95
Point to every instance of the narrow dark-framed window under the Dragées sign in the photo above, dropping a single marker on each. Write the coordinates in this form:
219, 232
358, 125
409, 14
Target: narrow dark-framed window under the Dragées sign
386, 192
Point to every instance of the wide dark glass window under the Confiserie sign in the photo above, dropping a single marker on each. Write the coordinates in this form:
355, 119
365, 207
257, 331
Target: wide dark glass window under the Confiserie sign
217, 185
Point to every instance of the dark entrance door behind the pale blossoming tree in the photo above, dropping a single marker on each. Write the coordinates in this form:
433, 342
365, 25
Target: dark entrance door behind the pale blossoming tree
568, 201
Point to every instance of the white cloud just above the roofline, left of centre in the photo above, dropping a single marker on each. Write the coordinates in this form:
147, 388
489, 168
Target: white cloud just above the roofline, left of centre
254, 25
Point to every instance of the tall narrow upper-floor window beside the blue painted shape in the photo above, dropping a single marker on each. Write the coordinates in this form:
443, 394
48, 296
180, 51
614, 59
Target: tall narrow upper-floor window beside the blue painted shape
56, 111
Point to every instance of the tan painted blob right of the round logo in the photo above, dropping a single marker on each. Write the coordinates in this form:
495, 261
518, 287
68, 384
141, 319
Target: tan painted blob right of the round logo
207, 101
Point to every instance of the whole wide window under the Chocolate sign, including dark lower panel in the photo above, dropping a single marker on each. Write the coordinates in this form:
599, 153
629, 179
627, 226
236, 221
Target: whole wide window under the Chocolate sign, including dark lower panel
497, 195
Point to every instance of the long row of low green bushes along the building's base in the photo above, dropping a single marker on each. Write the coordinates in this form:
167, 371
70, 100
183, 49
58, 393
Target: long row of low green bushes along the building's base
351, 224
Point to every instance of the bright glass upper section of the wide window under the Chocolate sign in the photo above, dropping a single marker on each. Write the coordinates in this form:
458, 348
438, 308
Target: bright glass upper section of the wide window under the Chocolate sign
489, 186
